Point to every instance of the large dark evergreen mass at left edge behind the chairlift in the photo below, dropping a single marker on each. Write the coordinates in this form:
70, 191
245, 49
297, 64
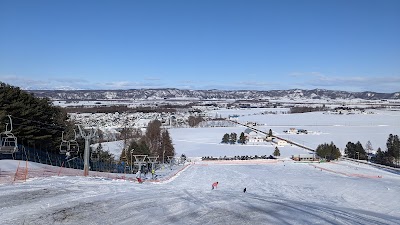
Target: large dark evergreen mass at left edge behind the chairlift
34, 119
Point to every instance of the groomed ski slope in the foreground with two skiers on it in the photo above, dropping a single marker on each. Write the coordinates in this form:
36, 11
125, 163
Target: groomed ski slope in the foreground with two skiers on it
277, 193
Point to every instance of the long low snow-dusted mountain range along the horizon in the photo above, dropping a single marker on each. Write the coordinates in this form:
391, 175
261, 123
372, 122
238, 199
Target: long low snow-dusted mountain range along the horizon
171, 93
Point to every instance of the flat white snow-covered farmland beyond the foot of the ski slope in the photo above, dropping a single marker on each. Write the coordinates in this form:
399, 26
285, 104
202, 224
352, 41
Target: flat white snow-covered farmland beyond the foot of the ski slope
323, 128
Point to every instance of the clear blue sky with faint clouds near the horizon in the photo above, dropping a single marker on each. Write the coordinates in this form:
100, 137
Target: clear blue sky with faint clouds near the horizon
201, 44
